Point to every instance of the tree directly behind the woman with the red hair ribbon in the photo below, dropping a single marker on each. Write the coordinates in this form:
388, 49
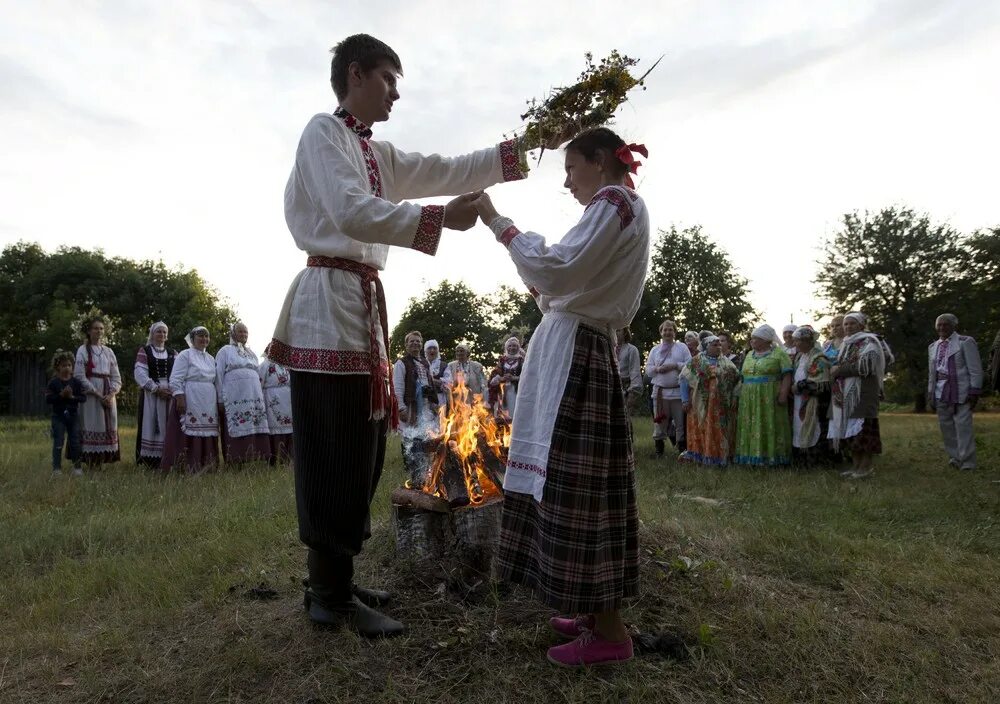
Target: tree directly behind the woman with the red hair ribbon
693, 282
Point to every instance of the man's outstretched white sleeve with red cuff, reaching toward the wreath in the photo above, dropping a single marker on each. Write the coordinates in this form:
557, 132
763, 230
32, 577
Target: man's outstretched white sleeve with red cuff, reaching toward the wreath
418, 176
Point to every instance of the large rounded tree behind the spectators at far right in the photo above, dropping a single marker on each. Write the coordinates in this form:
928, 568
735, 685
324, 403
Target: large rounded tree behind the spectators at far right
901, 271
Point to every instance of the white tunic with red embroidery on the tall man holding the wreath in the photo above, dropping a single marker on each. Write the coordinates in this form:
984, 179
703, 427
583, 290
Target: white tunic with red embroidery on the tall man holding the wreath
343, 200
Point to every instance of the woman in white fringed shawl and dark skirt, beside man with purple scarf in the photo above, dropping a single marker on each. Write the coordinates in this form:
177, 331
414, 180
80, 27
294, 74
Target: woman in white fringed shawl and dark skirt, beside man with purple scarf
857, 386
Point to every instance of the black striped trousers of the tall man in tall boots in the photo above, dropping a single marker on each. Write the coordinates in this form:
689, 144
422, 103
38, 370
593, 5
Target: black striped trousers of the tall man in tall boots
339, 455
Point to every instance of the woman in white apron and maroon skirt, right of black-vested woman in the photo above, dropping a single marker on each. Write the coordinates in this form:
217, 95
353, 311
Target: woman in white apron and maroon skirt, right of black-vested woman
193, 420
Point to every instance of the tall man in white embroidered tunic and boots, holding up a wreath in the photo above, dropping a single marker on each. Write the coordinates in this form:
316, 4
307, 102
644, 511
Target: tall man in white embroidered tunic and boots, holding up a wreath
344, 206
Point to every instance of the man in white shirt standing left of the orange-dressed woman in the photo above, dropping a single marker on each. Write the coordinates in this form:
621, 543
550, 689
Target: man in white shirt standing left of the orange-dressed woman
663, 366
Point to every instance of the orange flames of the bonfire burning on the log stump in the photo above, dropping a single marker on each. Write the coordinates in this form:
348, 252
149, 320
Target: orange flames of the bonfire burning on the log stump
459, 431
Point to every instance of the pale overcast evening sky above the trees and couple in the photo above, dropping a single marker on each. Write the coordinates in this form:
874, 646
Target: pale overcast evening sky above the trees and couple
167, 130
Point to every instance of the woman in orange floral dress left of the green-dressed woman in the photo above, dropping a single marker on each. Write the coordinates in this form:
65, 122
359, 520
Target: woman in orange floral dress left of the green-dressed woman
708, 391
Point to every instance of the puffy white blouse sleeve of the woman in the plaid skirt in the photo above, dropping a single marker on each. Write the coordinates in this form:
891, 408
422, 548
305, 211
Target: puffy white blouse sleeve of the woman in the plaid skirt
580, 255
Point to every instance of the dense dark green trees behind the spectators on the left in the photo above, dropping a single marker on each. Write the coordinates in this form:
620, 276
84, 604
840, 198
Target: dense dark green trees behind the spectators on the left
47, 295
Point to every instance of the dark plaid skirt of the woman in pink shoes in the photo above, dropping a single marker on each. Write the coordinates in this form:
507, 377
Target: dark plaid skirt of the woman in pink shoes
578, 548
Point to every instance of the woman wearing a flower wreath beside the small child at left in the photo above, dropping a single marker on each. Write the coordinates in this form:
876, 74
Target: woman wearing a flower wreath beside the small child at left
96, 368
